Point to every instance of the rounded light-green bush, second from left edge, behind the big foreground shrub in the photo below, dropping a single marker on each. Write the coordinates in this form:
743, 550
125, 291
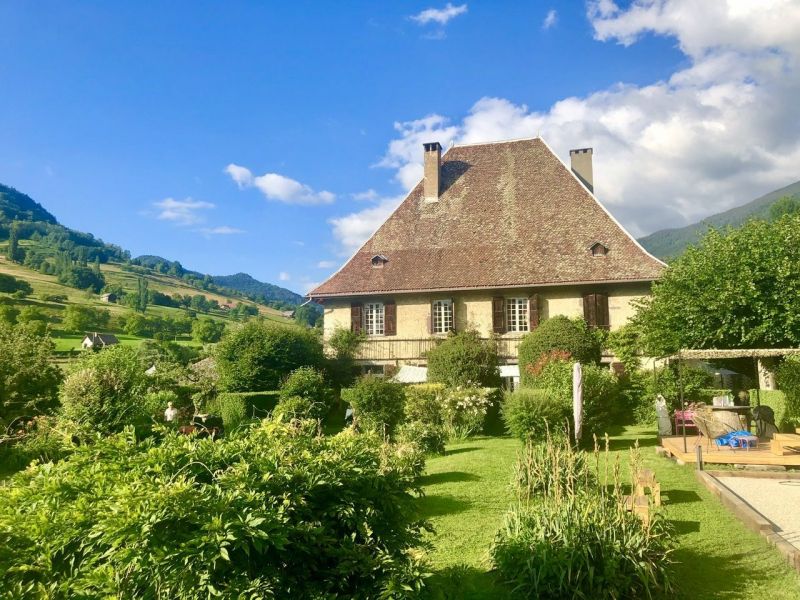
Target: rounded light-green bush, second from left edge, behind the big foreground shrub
106, 389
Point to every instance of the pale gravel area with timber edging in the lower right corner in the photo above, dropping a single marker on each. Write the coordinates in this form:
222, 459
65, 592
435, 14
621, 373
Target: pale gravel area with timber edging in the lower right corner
777, 499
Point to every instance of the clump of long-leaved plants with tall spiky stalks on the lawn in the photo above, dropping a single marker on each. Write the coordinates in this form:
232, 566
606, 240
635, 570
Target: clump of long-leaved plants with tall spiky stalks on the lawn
570, 535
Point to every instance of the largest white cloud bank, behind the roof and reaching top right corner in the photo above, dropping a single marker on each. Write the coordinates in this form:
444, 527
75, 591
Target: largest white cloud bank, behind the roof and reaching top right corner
721, 130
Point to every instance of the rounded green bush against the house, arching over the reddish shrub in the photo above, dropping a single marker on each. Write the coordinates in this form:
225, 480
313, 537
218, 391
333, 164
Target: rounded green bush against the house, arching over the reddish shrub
557, 333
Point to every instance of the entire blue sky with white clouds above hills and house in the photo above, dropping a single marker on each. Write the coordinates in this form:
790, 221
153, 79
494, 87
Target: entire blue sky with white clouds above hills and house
271, 137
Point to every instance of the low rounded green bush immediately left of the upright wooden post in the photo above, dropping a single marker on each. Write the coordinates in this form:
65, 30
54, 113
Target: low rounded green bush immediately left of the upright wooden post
530, 413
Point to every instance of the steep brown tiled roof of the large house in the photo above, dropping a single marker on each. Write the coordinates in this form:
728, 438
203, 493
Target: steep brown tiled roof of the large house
510, 214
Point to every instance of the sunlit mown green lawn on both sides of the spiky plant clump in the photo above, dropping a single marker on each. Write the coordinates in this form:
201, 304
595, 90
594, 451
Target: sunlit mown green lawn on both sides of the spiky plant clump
467, 493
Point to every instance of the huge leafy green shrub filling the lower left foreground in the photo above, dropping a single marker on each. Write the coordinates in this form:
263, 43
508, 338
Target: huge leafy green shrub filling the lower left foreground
273, 512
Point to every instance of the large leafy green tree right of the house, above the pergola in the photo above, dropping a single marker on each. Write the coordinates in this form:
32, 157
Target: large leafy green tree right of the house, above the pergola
736, 289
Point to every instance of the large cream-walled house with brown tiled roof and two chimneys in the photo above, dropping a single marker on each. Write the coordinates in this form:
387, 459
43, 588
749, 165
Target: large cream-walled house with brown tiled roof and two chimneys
496, 237
